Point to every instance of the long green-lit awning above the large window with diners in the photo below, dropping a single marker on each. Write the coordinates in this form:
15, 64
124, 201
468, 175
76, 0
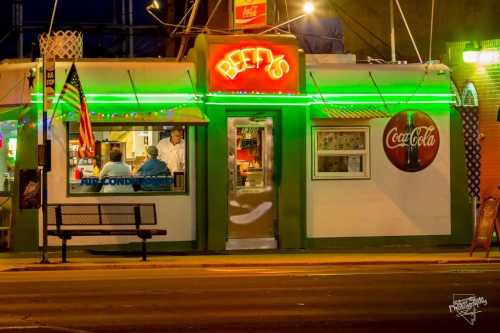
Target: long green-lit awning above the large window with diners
191, 114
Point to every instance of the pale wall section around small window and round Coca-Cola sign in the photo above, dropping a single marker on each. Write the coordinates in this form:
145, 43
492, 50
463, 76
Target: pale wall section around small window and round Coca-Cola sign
392, 202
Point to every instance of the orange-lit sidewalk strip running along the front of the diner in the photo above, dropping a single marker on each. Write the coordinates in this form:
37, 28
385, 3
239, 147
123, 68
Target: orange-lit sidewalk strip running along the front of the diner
81, 260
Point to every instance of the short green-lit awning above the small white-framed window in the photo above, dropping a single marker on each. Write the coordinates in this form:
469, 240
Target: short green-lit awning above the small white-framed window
346, 112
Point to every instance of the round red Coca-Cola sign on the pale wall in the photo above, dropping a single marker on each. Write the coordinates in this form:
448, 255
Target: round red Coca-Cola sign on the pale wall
411, 140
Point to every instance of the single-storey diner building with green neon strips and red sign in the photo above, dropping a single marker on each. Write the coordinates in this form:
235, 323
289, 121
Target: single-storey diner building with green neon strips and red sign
266, 148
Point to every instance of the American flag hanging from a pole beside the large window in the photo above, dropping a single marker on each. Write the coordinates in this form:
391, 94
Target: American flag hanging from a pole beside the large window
72, 94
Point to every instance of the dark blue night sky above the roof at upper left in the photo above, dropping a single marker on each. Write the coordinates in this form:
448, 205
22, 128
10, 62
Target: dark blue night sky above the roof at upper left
94, 17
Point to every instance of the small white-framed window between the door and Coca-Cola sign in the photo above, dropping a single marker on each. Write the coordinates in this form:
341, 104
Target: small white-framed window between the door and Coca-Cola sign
341, 153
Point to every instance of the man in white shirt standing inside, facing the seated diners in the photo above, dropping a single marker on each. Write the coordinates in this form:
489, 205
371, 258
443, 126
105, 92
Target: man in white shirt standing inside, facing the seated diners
172, 150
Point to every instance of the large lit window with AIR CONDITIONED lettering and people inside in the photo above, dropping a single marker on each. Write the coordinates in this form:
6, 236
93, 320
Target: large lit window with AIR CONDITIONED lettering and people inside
129, 160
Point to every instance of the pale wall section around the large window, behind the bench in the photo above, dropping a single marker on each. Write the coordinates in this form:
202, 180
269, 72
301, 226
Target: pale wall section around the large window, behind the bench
176, 213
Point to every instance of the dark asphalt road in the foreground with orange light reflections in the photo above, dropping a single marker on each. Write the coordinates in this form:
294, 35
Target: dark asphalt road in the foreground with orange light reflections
385, 298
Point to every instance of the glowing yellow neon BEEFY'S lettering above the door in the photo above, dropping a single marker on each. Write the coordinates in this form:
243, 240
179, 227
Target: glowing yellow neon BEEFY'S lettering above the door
241, 60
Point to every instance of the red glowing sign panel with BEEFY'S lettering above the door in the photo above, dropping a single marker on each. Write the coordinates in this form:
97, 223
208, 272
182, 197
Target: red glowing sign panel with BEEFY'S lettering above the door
255, 66
